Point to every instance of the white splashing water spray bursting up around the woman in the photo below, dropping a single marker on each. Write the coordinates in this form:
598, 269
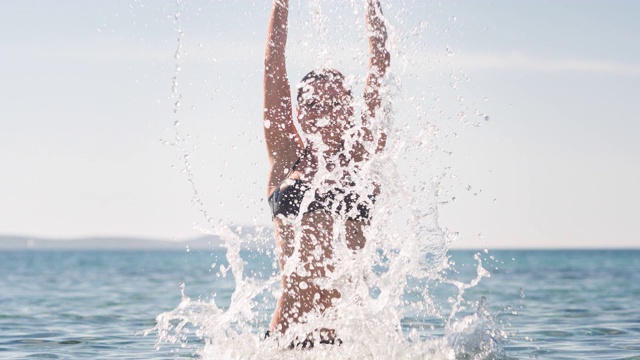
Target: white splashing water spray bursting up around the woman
388, 307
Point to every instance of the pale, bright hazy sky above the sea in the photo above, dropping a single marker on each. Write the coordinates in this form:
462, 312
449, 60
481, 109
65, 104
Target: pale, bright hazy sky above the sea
525, 112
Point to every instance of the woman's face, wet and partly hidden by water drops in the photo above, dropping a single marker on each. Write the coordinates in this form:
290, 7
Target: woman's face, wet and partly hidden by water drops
325, 109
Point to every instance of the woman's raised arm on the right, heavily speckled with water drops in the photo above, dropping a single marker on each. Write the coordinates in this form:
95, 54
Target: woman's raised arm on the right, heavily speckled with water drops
379, 61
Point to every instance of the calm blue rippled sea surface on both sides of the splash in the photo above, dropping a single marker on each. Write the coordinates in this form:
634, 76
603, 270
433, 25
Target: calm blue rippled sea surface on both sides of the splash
561, 304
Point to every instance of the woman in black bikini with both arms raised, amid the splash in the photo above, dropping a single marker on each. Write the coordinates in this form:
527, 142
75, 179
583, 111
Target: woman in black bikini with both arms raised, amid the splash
304, 214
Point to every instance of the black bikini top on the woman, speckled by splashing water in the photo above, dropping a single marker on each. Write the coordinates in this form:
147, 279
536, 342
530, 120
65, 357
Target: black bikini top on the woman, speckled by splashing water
287, 198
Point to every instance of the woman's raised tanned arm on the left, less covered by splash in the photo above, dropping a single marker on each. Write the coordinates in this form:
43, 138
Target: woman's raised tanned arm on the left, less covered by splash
283, 141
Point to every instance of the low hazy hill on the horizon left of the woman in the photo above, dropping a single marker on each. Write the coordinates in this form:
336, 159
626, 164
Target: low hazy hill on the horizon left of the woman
208, 242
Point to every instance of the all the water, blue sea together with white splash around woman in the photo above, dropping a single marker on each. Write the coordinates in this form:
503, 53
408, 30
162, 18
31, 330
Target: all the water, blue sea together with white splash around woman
405, 295
